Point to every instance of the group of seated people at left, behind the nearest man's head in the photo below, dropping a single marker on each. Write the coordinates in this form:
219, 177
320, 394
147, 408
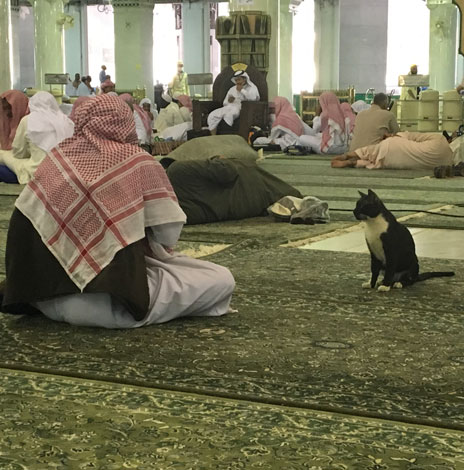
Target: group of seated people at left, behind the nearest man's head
31, 127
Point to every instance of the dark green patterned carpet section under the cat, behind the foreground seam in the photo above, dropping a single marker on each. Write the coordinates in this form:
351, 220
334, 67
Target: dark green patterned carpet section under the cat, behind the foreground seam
307, 337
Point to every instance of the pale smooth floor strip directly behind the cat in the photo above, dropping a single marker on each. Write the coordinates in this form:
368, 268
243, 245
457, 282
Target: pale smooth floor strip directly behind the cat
430, 243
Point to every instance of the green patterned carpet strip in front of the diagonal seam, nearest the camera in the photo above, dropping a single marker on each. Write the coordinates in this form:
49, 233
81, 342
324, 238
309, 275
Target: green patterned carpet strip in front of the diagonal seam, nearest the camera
54, 422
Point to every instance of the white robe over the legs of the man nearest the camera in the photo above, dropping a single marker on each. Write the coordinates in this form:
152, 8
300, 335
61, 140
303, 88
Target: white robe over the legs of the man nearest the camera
179, 286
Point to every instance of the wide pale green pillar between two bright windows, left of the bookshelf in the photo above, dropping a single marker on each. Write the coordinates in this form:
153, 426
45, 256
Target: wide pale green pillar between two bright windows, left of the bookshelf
133, 45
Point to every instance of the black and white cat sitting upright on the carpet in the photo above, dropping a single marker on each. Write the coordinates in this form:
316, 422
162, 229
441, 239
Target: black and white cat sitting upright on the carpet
391, 246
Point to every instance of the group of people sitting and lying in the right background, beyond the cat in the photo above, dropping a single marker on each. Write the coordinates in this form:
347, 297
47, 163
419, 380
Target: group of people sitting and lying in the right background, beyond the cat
368, 139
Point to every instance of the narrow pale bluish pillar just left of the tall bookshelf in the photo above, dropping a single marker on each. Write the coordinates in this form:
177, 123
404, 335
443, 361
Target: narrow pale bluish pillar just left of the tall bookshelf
196, 37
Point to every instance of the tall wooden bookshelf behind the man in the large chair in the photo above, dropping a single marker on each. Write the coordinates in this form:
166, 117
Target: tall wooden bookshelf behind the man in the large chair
244, 37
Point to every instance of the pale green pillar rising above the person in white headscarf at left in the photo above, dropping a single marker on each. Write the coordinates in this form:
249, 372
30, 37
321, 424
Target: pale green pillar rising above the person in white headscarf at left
49, 40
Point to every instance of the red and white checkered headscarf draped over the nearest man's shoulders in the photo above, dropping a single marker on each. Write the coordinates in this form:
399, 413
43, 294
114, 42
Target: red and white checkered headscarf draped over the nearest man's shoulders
96, 192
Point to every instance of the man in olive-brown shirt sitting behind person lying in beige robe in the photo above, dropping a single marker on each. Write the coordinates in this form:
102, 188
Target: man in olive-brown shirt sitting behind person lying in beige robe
373, 124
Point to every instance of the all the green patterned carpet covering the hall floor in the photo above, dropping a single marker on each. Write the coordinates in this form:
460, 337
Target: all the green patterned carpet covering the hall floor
312, 372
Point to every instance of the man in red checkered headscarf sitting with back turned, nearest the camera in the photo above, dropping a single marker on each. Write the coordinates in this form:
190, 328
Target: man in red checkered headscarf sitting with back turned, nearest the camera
91, 239
